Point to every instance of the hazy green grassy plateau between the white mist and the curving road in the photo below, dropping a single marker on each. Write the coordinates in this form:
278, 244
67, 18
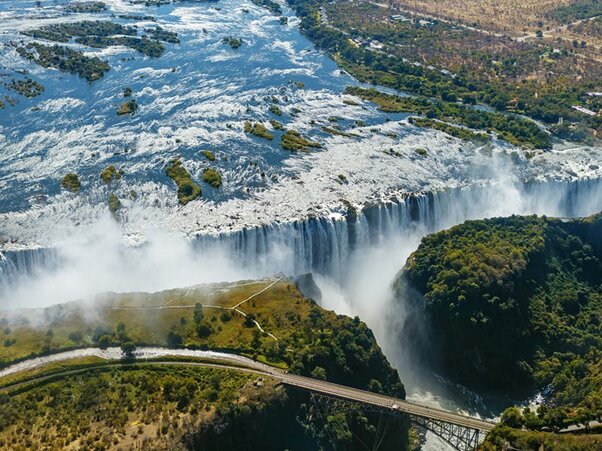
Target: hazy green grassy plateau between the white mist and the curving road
277, 310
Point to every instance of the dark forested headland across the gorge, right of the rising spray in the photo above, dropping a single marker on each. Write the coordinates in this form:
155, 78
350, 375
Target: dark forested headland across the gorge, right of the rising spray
516, 304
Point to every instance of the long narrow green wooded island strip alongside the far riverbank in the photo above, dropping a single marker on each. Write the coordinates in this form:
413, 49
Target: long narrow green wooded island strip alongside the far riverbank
518, 131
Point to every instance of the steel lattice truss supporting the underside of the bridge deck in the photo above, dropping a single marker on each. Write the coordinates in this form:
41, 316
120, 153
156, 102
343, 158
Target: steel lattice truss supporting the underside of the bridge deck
459, 437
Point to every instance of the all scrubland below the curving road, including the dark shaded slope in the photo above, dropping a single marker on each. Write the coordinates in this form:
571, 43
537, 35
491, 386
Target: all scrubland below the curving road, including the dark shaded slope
151, 406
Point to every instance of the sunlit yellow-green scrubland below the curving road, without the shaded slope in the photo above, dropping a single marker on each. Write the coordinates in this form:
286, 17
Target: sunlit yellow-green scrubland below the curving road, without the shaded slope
137, 406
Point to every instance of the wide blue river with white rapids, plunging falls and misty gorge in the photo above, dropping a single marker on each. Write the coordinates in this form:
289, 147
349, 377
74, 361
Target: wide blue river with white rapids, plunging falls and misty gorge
196, 97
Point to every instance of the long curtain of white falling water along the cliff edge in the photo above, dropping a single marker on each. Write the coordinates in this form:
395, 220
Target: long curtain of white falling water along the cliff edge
325, 245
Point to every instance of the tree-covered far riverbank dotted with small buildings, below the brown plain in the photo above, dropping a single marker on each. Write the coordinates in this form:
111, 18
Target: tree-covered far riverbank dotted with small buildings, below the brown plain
449, 64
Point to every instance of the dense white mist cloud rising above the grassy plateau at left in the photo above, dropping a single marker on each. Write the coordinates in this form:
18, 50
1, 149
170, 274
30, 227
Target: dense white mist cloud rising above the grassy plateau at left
97, 260
